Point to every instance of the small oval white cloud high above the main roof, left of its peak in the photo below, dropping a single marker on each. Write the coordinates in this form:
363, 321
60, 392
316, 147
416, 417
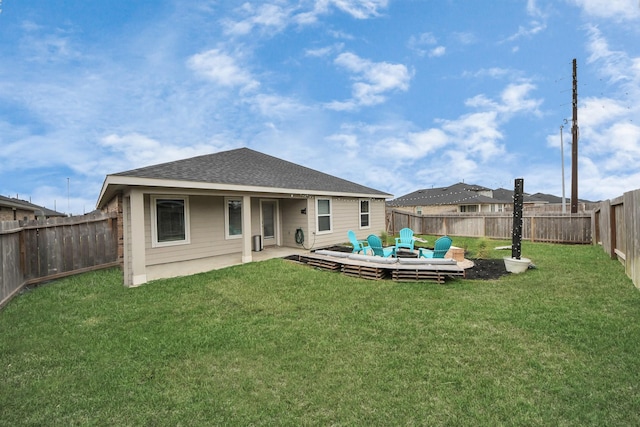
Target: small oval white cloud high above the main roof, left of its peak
222, 69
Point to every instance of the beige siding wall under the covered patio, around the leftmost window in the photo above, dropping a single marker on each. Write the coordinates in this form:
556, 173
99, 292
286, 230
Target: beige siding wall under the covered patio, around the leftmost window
206, 215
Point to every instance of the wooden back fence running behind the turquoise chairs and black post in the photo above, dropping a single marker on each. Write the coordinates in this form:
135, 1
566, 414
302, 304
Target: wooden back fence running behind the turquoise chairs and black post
536, 227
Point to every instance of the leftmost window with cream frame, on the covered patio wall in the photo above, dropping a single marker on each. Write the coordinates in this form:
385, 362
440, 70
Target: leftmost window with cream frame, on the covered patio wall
170, 221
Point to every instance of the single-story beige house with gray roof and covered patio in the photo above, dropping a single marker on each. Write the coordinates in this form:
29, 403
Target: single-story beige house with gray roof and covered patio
180, 217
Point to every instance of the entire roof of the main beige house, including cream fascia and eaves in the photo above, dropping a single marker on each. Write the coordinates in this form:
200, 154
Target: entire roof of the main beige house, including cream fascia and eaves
239, 169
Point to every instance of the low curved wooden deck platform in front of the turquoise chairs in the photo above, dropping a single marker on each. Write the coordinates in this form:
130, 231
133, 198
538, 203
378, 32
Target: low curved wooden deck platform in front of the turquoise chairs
438, 271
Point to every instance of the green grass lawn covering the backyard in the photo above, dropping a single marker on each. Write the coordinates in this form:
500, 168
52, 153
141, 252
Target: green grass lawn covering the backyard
277, 343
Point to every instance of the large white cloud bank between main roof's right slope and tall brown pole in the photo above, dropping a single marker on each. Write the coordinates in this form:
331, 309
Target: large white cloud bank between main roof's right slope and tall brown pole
468, 147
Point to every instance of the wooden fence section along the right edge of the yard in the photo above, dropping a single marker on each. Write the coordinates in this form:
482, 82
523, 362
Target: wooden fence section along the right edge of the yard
617, 229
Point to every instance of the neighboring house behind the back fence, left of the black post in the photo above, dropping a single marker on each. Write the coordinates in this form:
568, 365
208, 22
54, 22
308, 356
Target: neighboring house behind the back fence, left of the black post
458, 197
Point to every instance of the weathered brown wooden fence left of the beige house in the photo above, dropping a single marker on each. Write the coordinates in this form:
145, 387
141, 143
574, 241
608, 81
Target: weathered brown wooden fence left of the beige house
41, 250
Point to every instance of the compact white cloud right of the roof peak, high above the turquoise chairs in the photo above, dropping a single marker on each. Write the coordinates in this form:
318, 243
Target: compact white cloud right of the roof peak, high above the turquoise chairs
373, 80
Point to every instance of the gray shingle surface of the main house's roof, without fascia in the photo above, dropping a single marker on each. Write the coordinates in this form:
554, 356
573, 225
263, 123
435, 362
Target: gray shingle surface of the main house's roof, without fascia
244, 166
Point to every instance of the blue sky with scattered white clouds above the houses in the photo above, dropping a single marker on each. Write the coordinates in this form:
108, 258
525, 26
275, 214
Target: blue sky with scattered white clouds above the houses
397, 95
